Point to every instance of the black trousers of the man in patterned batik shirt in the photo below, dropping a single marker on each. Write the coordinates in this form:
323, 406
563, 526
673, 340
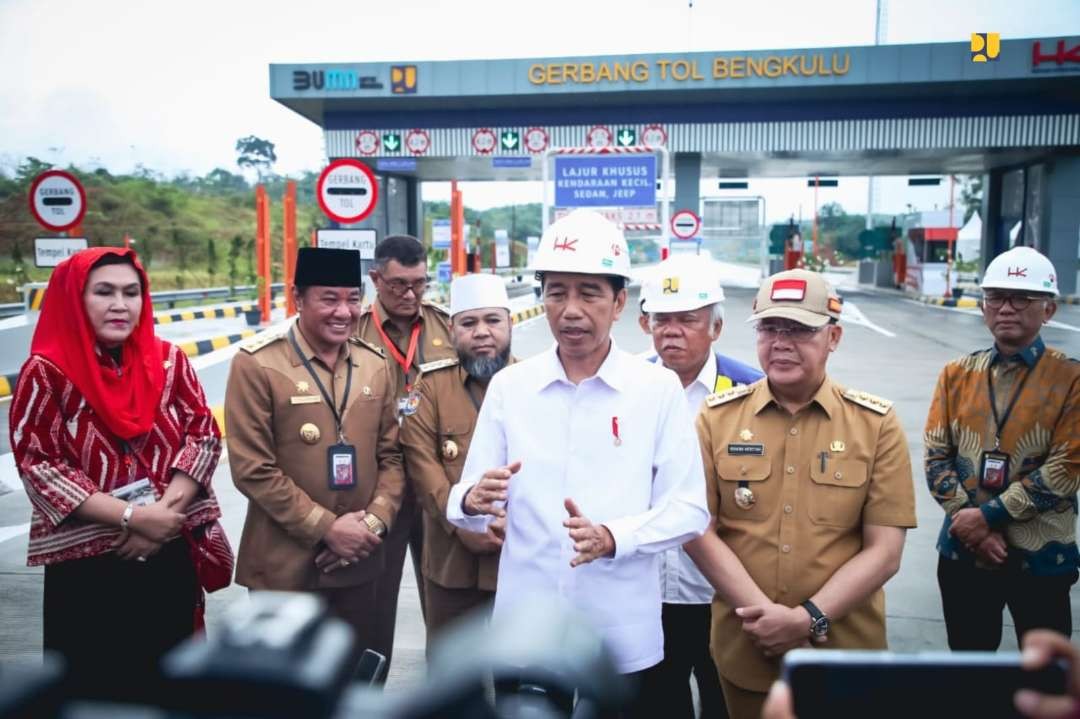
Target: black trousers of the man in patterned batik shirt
974, 600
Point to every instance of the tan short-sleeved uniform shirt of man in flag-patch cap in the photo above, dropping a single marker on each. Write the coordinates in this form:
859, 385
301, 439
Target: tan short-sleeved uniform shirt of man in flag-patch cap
817, 479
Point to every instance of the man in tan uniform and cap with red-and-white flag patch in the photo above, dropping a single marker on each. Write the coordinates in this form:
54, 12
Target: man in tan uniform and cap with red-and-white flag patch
811, 490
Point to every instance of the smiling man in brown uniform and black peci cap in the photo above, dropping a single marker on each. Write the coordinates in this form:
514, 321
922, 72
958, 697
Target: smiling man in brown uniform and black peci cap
313, 428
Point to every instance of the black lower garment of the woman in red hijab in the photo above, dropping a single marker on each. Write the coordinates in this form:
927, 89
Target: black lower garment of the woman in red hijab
114, 619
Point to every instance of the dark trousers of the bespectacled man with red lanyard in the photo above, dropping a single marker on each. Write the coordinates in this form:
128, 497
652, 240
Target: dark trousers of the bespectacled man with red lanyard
407, 534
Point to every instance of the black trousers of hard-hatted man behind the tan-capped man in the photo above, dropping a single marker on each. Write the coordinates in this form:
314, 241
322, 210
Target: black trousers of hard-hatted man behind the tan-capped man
687, 630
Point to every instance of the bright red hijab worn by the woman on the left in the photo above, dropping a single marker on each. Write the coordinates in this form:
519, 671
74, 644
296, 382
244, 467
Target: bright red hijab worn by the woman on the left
64, 336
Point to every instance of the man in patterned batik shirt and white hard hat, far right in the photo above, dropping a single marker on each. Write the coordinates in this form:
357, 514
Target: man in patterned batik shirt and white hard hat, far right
1003, 458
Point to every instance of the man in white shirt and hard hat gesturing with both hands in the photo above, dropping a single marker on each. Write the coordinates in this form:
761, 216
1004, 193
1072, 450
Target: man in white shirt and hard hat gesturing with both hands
587, 452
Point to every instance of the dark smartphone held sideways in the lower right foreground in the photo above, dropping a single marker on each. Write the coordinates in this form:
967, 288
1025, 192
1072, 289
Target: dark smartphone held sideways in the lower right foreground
832, 684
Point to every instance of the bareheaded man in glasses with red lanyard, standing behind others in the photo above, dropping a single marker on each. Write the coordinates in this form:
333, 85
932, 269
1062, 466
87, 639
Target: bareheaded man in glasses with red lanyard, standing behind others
413, 333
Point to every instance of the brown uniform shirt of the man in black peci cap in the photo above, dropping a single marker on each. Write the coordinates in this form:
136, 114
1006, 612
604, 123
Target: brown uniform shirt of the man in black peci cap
280, 430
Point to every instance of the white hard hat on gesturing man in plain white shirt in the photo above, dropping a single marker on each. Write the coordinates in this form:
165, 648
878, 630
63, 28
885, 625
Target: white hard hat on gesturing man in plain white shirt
585, 242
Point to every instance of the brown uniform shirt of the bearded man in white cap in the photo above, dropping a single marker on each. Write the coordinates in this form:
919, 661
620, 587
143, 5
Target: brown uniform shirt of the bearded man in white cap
436, 441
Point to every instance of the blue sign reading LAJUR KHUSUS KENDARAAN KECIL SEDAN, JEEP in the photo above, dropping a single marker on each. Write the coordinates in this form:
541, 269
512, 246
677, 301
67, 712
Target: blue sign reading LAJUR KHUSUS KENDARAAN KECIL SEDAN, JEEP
606, 181
